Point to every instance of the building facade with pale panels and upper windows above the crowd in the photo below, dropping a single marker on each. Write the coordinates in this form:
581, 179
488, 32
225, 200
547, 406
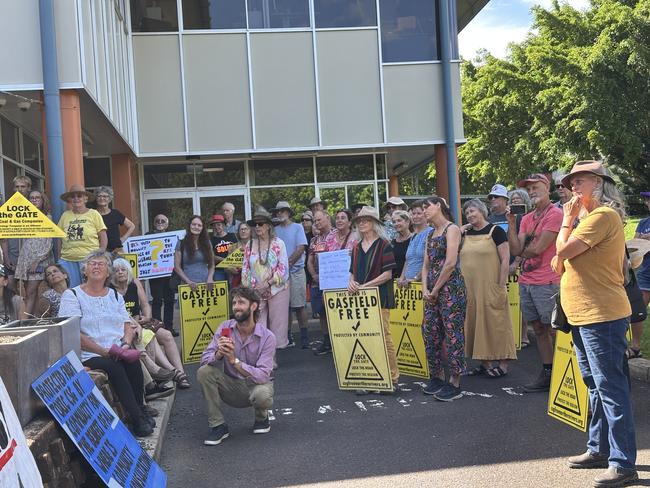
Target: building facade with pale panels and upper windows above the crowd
184, 104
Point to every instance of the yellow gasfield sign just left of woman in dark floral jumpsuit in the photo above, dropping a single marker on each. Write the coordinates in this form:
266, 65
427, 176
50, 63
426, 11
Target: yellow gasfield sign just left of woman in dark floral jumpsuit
406, 329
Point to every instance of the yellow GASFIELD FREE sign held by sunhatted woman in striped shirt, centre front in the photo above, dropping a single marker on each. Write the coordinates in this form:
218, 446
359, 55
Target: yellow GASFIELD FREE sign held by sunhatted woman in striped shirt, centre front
358, 345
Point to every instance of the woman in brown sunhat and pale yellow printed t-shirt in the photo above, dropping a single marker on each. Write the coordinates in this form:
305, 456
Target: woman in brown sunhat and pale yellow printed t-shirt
85, 232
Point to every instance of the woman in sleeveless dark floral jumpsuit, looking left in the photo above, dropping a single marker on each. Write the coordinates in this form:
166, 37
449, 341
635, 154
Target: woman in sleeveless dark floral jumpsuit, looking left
445, 300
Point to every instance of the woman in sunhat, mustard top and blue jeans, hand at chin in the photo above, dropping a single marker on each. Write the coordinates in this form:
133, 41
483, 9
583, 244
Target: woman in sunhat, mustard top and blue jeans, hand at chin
590, 258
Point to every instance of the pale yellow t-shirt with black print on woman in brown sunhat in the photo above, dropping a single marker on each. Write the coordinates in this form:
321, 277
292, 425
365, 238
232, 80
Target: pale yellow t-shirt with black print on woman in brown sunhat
81, 233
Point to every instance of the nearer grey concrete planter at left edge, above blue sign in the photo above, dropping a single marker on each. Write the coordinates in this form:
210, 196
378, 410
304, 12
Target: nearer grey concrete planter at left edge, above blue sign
21, 362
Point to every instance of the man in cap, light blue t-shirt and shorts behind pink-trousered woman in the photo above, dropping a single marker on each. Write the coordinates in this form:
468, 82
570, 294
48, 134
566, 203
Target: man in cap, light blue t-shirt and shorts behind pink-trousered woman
295, 242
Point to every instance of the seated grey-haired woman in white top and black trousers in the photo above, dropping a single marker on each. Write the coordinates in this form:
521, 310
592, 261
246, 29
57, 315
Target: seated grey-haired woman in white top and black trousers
107, 336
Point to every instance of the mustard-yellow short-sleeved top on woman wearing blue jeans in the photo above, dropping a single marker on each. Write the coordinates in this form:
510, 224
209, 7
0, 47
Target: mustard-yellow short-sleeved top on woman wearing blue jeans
592, 285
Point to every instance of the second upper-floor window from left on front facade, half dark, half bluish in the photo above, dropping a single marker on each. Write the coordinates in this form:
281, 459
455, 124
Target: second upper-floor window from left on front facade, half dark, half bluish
214, 14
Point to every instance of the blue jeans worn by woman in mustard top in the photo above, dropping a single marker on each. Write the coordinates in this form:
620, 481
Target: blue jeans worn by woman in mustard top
600, 349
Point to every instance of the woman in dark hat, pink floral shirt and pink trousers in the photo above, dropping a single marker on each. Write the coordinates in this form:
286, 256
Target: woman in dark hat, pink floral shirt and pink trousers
266, 269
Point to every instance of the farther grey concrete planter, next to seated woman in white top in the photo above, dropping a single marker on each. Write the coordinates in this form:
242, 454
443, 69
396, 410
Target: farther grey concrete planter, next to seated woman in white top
62, 332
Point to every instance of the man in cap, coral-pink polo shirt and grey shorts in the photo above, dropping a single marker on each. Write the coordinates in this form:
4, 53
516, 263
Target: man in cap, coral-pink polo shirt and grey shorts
538, 283
